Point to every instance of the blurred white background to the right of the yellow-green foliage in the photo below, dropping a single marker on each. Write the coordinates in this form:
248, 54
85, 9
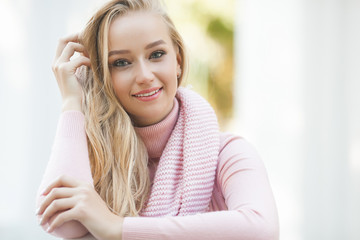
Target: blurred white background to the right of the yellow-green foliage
298, 101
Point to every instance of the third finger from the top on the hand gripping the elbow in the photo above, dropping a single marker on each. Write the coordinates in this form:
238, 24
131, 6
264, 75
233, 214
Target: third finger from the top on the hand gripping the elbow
57, 205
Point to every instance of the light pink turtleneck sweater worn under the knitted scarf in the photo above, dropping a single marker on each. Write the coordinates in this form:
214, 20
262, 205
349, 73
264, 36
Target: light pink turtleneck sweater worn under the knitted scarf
242, 205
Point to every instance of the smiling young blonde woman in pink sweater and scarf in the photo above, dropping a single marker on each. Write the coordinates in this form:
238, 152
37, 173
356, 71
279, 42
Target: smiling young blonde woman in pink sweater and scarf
135, 155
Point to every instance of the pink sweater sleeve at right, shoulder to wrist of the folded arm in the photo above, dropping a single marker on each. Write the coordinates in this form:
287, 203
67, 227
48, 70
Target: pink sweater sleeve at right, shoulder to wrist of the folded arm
243, 185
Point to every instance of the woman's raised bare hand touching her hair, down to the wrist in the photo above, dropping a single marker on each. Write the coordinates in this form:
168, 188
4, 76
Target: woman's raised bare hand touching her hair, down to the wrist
64, 69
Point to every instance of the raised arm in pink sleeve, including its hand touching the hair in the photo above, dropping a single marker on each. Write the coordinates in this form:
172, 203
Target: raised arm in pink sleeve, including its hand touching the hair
69, 155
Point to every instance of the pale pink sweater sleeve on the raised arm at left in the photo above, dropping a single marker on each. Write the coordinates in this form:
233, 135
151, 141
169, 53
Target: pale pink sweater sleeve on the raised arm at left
69, 156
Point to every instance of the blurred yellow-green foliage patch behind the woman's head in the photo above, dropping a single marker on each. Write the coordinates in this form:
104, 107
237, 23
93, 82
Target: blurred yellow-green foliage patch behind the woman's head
207, 27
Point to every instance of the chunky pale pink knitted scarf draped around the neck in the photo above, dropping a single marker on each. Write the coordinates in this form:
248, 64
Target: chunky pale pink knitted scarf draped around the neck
184, 179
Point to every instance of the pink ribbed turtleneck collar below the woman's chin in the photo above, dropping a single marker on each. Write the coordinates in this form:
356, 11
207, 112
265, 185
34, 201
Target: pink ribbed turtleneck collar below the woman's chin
156, 136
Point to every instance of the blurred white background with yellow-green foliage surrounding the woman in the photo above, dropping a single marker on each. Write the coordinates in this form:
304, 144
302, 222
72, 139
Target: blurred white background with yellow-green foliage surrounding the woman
284, 74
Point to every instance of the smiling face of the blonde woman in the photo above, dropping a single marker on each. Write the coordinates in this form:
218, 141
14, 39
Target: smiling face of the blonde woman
144, 64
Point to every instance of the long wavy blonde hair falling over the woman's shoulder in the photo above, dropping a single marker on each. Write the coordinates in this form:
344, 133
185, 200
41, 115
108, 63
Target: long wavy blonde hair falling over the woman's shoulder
118, 157
